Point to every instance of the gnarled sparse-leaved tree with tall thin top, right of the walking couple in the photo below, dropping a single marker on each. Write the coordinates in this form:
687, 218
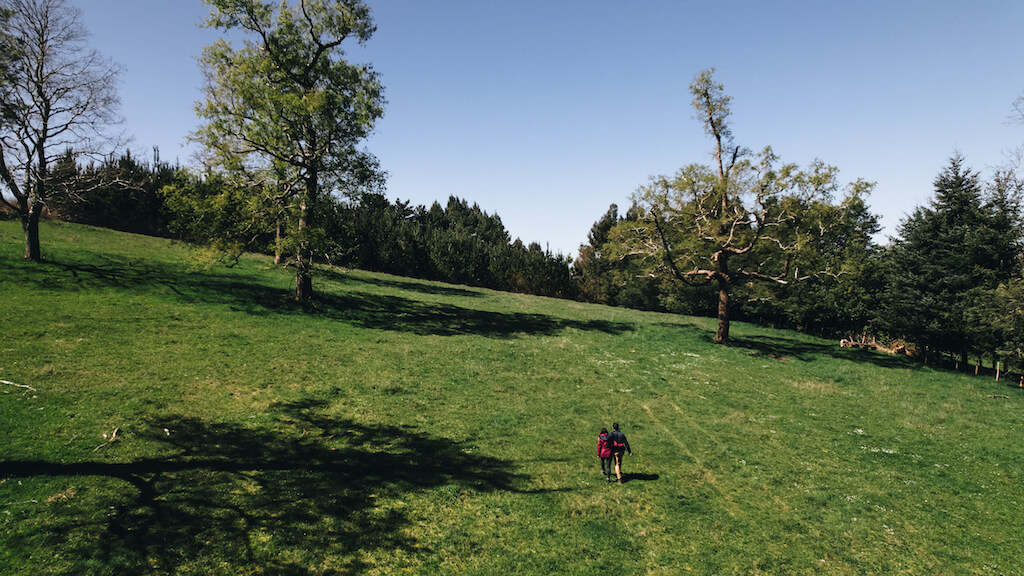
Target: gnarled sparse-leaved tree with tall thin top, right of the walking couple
746, 219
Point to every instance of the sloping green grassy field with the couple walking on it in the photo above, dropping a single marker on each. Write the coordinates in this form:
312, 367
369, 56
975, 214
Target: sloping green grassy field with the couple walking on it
399, 427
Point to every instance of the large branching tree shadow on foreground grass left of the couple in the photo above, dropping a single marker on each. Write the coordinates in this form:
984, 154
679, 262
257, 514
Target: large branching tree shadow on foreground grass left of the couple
315, 496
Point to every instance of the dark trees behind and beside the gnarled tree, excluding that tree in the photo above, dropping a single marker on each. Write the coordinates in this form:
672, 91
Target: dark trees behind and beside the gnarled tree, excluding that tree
950, 289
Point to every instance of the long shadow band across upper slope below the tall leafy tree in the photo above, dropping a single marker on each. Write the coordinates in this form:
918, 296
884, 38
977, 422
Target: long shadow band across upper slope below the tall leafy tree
250, 296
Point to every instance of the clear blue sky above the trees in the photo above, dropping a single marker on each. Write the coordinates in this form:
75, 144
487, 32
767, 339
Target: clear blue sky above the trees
546, 112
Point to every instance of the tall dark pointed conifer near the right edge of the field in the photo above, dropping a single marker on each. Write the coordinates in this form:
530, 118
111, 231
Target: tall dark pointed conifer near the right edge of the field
949, 261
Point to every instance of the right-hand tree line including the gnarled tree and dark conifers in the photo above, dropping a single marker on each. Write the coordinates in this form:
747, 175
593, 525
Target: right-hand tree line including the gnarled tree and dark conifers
753, 238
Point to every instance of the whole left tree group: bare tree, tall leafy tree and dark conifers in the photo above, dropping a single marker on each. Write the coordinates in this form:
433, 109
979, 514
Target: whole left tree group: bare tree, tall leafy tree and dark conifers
282, 171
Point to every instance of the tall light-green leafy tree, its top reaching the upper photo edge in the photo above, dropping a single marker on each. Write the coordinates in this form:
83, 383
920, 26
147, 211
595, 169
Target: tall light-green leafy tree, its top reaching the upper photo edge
285, 113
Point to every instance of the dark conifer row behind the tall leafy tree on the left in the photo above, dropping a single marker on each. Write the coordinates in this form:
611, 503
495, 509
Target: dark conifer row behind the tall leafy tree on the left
458, 242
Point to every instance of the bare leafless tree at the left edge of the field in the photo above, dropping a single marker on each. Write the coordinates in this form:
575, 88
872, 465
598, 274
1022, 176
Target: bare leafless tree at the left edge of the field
57, 96
